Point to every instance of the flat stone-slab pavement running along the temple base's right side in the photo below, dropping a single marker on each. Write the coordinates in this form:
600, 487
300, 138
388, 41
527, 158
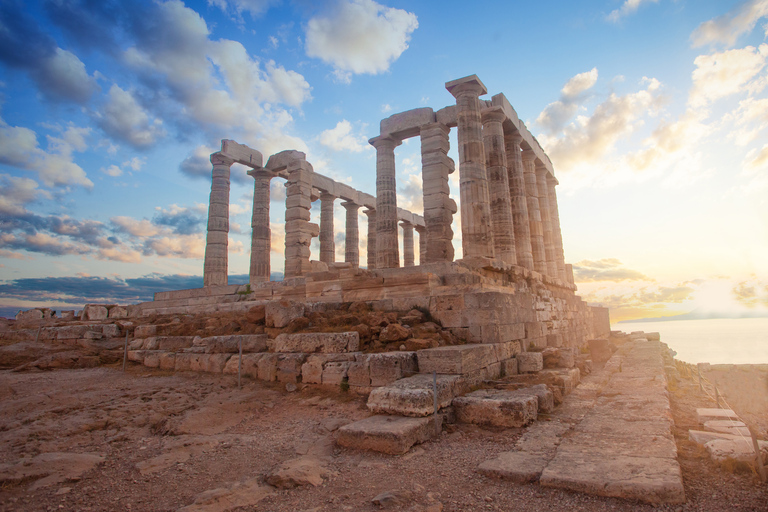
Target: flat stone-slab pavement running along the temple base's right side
610, 437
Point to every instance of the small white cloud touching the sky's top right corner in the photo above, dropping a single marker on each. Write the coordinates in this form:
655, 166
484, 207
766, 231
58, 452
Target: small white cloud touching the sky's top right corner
727, 28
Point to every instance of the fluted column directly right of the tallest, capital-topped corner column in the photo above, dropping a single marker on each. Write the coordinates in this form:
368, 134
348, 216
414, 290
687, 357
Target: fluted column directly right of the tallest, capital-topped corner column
498, 185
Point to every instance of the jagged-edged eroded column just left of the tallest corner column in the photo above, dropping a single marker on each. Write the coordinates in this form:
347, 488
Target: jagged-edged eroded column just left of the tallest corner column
438, 205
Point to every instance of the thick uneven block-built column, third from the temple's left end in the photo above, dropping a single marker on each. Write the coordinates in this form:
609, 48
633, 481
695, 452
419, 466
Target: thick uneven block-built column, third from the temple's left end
298, 230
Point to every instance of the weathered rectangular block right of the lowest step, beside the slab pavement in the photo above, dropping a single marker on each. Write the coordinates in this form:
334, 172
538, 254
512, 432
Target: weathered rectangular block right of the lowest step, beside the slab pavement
499, 408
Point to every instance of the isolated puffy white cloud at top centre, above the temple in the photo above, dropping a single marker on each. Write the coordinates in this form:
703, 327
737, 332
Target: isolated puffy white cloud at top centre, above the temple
359, 36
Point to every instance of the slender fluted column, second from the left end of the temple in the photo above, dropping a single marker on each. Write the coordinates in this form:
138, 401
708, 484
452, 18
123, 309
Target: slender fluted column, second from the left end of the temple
261, 235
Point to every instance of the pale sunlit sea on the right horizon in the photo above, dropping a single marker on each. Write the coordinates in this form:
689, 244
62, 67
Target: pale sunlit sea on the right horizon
715, 341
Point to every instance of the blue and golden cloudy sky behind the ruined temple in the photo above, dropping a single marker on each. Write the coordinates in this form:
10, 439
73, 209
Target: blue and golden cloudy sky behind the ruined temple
654, 114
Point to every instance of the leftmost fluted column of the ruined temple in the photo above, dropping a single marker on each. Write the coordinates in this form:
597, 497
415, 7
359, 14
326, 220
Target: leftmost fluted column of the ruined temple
215, 265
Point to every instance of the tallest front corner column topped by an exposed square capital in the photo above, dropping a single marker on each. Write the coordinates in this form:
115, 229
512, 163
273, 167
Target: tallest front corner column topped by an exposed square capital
476, 234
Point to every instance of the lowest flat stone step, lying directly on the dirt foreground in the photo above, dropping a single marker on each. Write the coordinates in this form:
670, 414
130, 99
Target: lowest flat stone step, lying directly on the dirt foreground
388, 434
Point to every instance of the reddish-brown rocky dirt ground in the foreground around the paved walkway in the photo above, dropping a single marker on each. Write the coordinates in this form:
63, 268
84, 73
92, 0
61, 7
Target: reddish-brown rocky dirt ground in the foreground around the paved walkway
100, 439
